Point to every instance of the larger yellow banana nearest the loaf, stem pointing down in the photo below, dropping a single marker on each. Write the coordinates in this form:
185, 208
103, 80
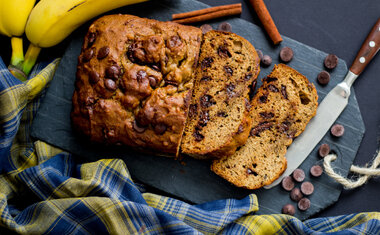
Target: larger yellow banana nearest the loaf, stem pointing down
51, 21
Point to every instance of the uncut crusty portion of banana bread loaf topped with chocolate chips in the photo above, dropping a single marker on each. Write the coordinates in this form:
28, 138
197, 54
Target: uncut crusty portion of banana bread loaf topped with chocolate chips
134, 81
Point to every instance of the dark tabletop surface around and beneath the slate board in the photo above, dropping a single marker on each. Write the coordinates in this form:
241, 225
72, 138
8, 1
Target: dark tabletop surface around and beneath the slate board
337, 27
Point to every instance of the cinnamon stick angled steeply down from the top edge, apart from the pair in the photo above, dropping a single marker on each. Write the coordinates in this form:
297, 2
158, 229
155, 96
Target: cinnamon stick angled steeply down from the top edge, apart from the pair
266, 19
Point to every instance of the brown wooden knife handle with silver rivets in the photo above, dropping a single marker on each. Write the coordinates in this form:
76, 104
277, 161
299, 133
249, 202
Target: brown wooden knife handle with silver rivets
368, 50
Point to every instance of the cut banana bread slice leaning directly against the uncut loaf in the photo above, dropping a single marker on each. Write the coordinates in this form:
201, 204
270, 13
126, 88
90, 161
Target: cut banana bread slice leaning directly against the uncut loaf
218, 121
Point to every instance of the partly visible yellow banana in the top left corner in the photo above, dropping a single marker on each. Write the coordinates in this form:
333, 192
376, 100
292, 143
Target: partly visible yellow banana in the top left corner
13, 17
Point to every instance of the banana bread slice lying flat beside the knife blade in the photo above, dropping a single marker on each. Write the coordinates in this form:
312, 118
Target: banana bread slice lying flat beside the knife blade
281, 108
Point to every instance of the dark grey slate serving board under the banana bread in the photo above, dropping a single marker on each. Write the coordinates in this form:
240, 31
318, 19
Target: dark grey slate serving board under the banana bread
192, 180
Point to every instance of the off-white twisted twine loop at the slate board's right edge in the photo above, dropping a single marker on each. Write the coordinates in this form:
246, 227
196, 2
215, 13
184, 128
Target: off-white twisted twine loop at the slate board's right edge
366, 173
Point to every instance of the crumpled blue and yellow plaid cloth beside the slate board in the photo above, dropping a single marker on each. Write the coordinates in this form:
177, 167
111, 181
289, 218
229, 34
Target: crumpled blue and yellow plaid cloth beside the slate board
43, 190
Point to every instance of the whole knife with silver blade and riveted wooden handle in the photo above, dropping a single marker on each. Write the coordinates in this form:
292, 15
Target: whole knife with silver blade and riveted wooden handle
331, 106
